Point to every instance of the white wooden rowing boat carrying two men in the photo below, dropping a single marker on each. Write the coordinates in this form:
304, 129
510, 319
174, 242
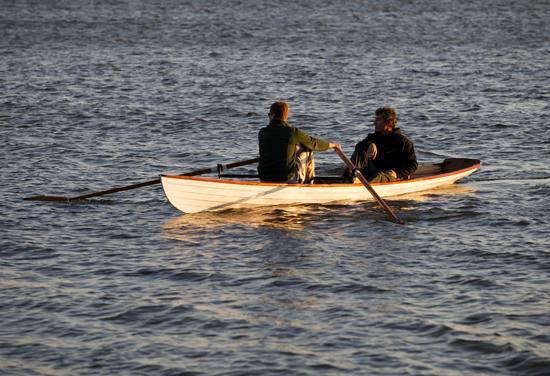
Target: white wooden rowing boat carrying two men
196, 194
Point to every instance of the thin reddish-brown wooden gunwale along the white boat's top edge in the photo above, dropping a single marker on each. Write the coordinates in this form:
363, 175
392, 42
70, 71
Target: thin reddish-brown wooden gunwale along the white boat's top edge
475, 166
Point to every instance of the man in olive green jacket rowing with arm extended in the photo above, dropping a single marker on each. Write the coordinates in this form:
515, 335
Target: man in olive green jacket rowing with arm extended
286, 152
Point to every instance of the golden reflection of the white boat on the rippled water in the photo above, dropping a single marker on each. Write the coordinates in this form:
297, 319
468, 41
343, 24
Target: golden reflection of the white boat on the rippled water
293, 218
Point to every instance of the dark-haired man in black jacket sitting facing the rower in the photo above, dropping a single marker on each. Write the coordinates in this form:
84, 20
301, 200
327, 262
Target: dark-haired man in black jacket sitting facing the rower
385, 155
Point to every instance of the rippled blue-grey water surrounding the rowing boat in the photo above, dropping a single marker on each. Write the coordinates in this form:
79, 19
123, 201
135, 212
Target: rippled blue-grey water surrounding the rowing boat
102, 94
